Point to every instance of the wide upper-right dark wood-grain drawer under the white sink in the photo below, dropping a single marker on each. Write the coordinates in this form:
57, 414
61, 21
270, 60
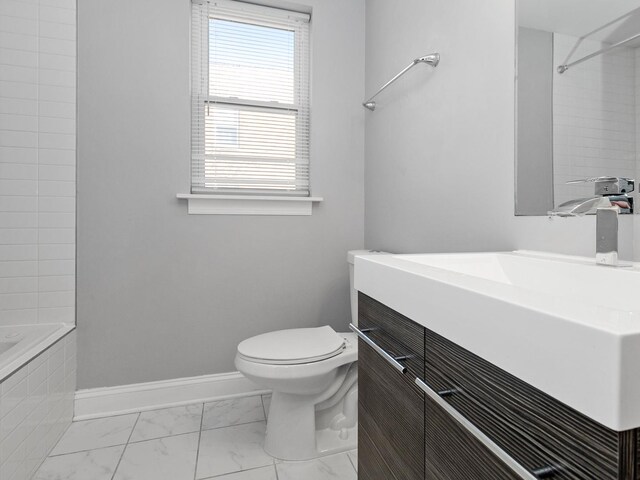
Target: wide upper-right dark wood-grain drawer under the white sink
546, 437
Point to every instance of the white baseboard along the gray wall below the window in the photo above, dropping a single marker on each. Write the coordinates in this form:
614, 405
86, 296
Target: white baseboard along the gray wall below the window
102, 402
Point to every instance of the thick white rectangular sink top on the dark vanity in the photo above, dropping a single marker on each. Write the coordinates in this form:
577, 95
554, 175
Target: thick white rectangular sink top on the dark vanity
563, 324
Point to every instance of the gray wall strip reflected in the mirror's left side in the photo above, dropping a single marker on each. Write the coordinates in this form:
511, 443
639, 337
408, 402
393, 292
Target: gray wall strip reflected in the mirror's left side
534, 164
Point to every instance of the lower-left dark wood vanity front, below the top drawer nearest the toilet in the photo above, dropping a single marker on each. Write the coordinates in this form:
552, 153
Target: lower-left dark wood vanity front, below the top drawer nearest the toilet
391, 412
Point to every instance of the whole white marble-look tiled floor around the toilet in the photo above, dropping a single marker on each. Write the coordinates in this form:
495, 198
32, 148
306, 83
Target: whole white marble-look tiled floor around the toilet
219, 440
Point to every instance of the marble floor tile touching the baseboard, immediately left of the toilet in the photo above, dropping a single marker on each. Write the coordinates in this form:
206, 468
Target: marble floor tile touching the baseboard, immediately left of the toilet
225, 413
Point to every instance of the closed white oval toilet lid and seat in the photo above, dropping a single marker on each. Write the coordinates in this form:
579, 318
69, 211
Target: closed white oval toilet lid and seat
293, 346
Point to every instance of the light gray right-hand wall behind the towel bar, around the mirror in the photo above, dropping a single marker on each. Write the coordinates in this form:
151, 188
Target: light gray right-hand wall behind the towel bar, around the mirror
439, 173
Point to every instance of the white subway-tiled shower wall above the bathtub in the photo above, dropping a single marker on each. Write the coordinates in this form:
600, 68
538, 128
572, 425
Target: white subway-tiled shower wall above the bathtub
37, 161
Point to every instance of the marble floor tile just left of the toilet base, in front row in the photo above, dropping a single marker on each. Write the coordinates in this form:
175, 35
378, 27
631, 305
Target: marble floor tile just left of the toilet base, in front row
232, 449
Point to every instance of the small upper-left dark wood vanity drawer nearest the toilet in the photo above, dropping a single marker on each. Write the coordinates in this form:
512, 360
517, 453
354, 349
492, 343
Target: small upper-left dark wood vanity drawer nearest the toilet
394, 333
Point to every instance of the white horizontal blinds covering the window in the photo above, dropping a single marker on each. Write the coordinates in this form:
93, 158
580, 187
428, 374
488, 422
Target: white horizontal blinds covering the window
250, 99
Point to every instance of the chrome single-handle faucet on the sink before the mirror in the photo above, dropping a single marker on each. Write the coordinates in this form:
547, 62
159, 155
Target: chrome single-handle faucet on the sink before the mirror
611, 198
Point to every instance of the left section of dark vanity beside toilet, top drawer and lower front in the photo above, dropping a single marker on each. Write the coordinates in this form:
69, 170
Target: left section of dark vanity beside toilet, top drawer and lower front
390, 404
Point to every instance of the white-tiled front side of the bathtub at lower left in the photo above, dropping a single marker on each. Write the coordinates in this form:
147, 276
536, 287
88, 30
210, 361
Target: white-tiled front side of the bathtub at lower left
36, 407
